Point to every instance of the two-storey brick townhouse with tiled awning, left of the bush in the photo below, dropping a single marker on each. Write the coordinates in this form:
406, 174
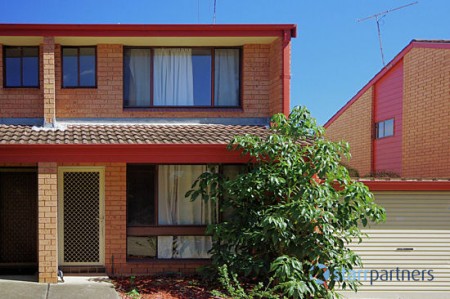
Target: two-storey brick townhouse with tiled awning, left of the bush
103, 128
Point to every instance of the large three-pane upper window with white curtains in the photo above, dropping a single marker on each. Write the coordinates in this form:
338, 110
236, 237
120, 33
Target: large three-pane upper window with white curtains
181, 77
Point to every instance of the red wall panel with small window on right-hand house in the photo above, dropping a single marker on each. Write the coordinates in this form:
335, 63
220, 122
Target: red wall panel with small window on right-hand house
388, 104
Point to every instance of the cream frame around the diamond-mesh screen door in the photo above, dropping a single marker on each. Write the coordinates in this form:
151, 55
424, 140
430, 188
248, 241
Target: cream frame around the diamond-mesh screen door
61, 171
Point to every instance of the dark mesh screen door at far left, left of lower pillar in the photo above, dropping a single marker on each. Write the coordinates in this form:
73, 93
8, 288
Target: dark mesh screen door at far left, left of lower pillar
18, 217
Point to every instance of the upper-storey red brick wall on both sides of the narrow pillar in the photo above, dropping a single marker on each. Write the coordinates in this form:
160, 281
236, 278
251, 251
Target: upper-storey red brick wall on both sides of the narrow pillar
261, 89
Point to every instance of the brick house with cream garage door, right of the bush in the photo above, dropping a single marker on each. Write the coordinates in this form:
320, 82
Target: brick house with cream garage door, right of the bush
398, 128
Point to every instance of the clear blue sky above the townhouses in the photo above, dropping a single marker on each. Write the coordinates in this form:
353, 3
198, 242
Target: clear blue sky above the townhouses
332, 57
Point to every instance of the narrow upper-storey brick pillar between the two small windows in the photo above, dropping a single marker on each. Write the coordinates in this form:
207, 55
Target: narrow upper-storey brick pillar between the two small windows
49, 81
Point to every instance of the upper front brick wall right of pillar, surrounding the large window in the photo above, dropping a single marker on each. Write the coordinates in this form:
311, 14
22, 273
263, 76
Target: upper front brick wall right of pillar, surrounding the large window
107, 99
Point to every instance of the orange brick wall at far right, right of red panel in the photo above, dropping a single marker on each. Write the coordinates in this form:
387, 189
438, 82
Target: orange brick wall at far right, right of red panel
426, 113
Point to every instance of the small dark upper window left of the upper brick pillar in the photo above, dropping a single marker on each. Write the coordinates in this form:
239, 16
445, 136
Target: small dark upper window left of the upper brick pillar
21, 66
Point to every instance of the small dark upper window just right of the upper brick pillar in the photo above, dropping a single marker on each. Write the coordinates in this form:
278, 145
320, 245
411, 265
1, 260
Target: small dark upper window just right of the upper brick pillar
79, 67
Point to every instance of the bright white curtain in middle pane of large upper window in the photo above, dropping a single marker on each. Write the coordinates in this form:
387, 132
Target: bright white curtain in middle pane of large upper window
173, 77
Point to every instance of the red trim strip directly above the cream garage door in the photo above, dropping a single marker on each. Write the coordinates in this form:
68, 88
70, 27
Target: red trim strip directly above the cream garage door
408, 185
